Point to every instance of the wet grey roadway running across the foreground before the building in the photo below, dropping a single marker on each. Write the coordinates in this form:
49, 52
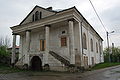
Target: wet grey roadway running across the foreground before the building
112, 73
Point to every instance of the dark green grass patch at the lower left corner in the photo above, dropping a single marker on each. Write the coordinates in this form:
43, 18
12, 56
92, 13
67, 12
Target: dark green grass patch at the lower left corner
4, 69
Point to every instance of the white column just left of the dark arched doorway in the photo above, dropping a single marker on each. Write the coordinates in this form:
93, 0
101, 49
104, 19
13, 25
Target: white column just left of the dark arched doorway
27, 47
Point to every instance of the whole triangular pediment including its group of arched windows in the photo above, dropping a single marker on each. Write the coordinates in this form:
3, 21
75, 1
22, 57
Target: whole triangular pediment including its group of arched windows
37, 13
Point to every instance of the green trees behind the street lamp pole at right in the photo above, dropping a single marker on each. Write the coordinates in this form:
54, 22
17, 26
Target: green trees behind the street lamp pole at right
114, 54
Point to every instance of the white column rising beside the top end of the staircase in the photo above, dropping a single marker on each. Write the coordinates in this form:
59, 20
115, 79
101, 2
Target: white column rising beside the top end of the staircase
47, 43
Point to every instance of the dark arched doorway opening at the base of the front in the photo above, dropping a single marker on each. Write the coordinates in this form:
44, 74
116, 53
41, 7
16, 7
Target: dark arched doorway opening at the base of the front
36, 63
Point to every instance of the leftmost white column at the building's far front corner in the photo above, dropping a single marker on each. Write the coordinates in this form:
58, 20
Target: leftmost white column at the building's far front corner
13, 50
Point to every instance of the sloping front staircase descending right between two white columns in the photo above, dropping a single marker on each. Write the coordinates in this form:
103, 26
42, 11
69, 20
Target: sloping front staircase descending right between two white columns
60, 58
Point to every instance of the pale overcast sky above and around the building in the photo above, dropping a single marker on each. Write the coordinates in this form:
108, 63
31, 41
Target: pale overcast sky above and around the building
12, 12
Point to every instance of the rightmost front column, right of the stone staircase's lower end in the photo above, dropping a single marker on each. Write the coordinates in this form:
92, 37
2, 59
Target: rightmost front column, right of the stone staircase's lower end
71, 42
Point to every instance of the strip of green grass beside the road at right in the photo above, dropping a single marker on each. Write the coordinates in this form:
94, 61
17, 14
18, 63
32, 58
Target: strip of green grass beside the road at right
104, 65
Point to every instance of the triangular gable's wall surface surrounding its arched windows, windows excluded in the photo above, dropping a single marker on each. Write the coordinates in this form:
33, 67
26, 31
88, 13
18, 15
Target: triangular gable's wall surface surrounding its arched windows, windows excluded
44, 13
